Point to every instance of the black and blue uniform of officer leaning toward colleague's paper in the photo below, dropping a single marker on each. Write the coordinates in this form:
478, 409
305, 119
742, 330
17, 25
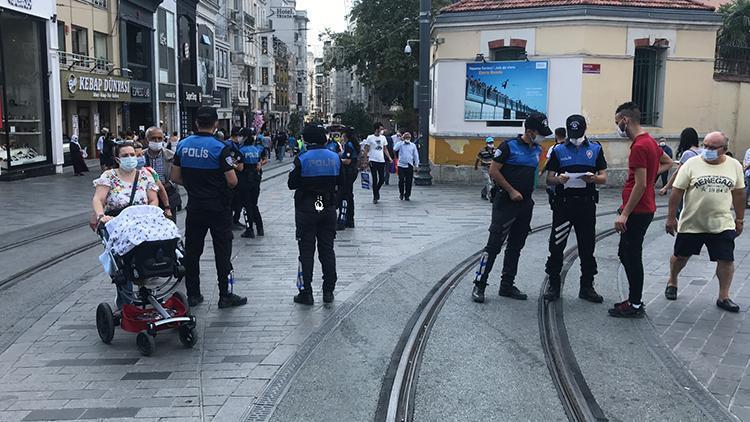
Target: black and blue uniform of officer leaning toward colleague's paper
510, 219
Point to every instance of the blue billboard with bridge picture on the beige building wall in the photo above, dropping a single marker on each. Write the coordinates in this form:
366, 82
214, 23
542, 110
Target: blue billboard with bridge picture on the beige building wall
497, 91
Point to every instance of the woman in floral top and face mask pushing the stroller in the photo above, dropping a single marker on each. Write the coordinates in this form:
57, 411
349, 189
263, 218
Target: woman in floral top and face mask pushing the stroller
123, 186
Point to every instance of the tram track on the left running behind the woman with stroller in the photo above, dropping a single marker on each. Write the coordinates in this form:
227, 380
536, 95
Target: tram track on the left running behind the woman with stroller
71, 252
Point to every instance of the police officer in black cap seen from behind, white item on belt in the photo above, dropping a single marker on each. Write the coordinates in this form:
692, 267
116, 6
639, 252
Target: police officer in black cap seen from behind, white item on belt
316, 175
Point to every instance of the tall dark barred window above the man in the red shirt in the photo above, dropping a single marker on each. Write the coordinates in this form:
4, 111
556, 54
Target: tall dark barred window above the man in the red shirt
648, 83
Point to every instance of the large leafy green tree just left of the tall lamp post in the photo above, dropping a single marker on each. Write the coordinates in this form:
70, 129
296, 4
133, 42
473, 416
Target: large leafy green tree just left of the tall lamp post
374, 47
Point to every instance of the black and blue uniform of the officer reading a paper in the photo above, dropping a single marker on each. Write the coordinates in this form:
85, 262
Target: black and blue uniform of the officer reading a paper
574, 209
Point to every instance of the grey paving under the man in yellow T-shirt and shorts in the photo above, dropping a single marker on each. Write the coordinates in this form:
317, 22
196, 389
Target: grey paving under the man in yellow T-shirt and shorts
712, 343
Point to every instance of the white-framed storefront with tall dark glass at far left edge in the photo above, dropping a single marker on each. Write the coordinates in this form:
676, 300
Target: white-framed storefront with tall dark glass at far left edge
31, 136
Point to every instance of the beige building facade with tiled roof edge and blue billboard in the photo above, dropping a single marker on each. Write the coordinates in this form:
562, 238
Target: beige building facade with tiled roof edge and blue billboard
595, 54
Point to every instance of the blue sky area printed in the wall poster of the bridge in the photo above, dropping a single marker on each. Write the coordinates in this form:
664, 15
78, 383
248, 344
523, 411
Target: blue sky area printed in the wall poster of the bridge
526, 81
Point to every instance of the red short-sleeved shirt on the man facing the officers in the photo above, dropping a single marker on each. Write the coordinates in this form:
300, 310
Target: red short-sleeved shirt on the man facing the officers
644, 153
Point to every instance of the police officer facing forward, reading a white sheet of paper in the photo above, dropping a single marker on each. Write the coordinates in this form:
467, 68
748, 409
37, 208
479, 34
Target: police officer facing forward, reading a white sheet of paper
574, 169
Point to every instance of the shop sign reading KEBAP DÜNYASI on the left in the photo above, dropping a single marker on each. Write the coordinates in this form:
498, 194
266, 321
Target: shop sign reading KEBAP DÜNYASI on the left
88, 87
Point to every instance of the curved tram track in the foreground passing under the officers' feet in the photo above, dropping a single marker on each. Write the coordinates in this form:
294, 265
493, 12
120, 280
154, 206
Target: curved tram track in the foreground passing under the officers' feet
397, 398
